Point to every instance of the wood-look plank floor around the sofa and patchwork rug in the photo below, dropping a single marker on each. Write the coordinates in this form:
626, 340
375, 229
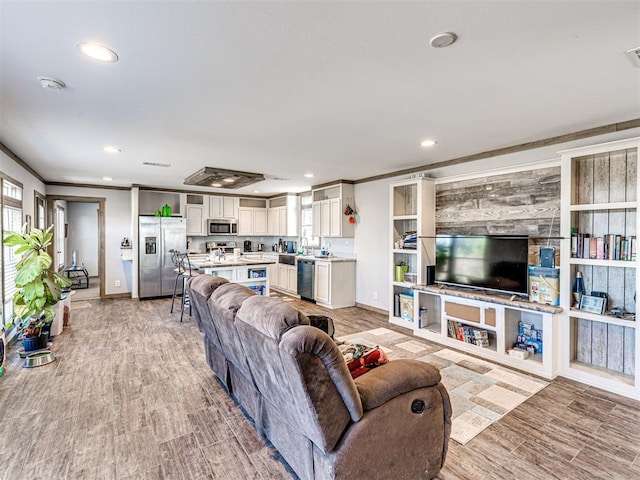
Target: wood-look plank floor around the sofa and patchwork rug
131, 397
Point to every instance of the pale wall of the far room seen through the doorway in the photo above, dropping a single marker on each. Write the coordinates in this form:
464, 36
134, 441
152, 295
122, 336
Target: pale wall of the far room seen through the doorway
83, 235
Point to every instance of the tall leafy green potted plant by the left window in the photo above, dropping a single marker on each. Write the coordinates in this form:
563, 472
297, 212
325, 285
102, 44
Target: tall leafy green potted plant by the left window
39, 287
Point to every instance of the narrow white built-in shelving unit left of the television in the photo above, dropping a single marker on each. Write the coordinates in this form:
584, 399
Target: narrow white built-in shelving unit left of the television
412, 204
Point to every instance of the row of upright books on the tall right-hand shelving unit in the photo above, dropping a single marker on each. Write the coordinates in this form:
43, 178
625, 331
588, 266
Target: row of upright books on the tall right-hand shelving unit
607, 247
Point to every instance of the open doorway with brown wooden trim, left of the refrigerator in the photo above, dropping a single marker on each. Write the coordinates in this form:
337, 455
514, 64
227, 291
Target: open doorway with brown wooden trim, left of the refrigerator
79, 227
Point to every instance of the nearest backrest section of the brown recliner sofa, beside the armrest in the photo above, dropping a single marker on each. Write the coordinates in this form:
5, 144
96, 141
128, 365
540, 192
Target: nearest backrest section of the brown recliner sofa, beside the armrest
298, 369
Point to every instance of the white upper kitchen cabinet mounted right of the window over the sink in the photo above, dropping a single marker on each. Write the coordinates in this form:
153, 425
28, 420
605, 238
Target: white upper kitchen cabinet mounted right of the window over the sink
329, 204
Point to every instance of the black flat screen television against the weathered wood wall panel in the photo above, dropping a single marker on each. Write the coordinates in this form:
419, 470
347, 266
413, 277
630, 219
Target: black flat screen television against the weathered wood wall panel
488, 262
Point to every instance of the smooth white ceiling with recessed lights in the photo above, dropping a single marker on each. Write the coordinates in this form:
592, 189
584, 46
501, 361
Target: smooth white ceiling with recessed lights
345, 90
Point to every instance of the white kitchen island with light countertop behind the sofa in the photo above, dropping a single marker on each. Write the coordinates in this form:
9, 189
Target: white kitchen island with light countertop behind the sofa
253, 273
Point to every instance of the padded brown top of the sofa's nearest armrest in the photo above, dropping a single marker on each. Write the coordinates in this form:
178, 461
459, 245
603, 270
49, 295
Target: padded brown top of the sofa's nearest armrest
393, 379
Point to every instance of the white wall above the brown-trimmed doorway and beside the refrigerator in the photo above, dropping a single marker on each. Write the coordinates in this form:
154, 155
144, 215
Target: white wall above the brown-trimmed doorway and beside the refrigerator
117, 225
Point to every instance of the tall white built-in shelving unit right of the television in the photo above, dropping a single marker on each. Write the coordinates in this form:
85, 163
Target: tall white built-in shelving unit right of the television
599, 197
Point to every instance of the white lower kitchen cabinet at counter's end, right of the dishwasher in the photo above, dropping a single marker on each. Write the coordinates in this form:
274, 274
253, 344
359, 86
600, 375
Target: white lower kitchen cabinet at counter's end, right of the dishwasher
335, 283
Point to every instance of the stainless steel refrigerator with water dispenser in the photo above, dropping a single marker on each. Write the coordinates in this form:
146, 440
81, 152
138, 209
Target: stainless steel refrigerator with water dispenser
157, 237
